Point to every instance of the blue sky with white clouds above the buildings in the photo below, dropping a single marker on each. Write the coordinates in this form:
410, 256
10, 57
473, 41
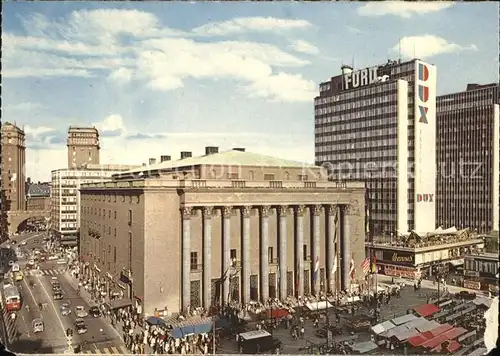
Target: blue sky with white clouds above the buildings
160, 78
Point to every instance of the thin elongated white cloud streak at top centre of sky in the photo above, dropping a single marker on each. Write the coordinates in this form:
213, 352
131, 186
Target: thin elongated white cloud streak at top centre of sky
244, 24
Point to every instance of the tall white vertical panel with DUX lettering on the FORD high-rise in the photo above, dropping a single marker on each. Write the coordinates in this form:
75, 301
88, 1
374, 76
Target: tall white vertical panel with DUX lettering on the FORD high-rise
425, 147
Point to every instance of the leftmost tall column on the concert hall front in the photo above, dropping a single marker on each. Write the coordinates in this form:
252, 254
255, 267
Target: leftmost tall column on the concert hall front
186, 257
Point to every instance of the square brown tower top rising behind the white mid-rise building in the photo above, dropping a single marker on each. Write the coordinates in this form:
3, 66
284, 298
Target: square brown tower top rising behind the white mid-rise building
83, 146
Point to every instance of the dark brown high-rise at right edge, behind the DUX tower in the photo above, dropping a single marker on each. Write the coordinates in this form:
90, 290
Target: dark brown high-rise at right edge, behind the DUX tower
468, 158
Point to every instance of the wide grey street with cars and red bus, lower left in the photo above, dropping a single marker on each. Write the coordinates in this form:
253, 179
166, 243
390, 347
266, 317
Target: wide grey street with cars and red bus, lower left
36, 290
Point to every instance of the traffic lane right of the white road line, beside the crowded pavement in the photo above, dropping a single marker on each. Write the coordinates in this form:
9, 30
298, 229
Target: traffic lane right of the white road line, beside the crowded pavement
99, 331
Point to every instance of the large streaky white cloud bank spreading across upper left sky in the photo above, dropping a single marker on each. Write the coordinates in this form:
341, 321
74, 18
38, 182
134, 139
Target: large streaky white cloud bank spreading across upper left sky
155, 55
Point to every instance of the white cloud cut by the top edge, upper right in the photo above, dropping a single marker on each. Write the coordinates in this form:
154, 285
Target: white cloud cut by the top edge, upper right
404, 9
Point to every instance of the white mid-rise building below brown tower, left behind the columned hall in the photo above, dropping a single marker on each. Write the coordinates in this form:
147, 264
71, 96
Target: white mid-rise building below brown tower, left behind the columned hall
65, 197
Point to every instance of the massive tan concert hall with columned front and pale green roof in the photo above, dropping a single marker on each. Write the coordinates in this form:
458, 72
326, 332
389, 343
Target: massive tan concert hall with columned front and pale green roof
165, 234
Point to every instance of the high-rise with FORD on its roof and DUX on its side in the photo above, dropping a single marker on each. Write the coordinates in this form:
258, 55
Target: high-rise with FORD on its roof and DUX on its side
378, 125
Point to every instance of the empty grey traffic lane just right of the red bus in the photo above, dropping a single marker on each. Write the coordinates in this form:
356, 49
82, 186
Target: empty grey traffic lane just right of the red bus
55, 324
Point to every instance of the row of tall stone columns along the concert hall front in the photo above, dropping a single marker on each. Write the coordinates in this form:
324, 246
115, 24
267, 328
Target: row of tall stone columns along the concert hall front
335, 214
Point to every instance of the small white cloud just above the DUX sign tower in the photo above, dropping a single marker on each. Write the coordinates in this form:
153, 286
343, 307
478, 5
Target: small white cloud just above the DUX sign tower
426, 46
